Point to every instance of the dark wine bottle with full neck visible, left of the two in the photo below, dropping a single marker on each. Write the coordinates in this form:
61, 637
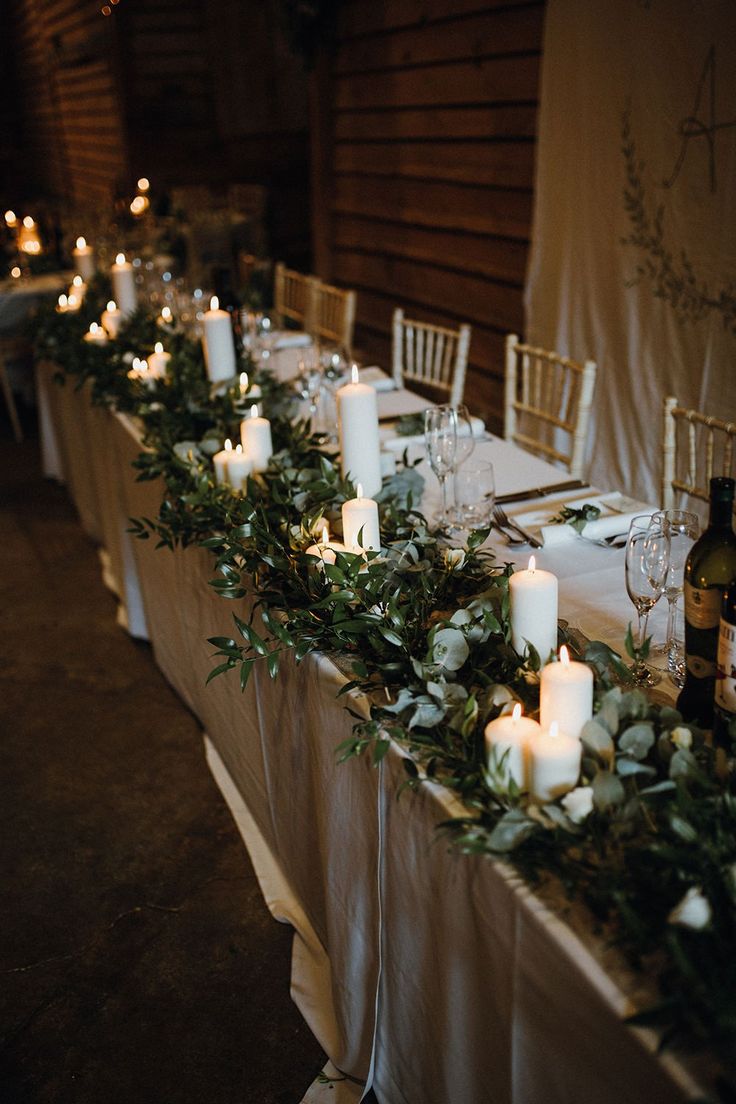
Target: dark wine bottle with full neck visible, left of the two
710, 569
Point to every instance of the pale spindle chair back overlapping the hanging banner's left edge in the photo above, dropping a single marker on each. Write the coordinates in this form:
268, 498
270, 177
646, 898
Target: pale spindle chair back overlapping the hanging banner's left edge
548, 404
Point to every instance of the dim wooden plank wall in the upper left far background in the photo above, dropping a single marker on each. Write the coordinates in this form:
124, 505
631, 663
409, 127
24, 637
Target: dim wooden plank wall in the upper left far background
76, 145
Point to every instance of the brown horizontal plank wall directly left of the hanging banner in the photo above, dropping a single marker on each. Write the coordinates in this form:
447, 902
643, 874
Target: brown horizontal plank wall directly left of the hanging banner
431, 107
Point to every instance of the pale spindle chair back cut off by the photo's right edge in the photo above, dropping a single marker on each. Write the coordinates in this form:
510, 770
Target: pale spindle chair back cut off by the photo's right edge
696, 449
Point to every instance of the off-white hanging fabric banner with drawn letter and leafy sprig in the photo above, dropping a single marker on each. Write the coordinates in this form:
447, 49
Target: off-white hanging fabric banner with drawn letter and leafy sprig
634, 256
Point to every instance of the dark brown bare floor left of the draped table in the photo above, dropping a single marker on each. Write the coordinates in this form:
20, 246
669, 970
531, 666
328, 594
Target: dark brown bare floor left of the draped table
138, 962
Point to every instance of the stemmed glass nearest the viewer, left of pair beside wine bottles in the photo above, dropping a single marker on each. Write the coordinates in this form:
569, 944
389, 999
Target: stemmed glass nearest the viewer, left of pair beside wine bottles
647, 566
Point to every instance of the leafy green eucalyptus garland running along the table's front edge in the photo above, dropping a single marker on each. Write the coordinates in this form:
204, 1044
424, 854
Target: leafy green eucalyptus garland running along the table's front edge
648, 841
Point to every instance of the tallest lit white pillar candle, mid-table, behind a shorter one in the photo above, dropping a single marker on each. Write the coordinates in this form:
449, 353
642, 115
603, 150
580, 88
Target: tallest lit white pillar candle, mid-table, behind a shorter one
360, 444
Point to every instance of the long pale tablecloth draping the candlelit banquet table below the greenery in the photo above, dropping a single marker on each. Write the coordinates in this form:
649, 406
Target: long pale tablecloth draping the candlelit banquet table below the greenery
429, 976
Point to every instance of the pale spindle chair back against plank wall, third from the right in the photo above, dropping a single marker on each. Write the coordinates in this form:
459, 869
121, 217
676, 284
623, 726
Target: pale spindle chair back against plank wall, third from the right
435, 357
